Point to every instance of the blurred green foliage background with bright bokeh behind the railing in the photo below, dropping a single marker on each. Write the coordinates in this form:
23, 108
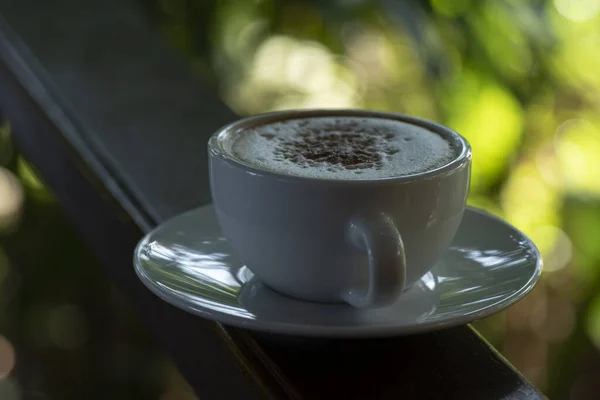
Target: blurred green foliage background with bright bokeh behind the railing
519, 78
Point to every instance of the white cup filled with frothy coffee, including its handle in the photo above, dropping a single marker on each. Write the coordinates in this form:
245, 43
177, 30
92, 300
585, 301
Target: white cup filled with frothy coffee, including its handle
347, 206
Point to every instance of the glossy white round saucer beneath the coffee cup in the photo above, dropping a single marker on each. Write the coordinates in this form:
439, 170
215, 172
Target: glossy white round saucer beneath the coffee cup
187, 262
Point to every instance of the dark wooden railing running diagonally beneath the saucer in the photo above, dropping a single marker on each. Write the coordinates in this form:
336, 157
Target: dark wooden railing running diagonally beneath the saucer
116, 123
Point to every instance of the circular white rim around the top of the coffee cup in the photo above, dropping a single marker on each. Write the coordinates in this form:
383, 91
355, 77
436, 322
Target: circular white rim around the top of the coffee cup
216, 148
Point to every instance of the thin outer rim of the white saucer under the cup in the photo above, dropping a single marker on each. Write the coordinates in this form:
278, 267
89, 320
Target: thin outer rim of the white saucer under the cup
343, 331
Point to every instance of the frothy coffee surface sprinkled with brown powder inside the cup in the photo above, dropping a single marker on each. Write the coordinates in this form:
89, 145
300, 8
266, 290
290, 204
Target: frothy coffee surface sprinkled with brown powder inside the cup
342, 148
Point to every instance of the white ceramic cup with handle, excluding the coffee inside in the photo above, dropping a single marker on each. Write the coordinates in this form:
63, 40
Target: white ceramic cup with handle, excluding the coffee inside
357, 241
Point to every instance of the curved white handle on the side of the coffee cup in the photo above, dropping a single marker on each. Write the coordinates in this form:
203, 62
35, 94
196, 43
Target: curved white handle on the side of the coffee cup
379, 237
